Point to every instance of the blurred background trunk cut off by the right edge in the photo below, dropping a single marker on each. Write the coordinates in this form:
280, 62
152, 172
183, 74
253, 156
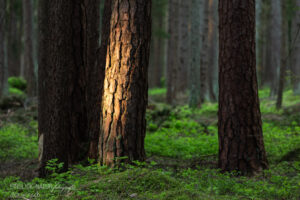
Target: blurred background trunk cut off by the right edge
296, 52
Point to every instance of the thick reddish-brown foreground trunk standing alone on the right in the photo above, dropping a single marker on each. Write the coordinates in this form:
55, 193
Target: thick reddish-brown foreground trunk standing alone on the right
241, 145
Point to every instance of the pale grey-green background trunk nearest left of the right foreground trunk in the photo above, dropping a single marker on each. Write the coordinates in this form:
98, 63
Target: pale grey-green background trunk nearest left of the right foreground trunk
195, 52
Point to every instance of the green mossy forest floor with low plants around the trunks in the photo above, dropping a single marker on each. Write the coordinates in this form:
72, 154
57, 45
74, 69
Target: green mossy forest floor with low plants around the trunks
181, 146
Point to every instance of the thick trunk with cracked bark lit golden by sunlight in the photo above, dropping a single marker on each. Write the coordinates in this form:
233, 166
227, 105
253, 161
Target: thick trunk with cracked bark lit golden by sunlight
125, 86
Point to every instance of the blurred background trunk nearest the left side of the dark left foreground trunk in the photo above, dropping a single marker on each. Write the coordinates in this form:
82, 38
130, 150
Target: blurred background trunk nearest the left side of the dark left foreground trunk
28, 47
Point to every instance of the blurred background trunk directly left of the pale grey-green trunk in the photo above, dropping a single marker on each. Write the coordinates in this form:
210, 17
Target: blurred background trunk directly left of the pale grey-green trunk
184, 46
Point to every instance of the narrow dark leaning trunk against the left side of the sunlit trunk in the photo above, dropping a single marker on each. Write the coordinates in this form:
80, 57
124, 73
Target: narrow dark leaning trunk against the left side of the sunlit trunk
95, 89
